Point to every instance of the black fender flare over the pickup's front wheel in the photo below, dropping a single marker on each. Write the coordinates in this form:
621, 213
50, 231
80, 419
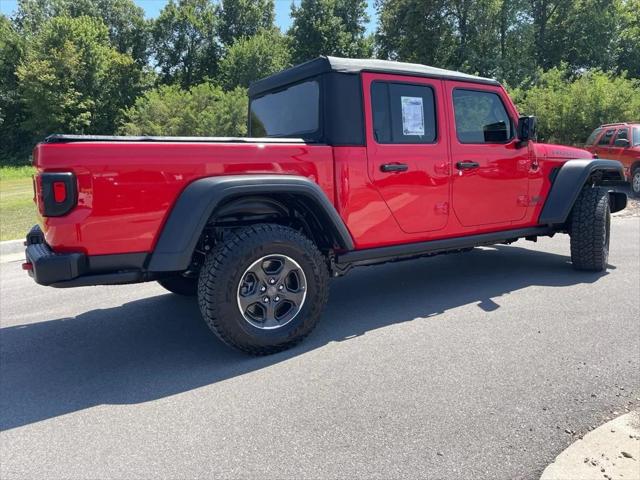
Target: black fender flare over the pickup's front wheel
568, 183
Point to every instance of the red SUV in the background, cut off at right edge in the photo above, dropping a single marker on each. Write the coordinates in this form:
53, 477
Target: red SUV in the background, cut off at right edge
619, 141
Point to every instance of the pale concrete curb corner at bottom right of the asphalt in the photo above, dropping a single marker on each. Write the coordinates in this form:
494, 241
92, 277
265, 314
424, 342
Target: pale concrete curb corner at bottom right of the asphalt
611, 451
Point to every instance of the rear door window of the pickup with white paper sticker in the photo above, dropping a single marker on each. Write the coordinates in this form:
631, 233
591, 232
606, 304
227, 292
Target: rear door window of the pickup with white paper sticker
403, 113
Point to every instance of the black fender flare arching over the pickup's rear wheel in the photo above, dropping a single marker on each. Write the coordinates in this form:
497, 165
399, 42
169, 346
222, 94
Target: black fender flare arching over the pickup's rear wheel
199, 200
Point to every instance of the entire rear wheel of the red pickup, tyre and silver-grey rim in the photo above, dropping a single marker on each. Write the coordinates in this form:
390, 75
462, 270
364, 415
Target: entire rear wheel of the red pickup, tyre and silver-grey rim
263, 288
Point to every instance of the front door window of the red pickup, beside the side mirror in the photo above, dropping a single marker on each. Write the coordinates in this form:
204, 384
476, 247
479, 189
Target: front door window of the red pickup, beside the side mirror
481, 117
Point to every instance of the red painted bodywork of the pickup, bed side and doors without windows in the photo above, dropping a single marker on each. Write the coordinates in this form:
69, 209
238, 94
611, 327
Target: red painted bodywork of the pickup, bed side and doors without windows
127, 189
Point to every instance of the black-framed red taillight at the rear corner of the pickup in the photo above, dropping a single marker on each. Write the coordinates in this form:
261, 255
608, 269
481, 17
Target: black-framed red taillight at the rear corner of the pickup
58, 193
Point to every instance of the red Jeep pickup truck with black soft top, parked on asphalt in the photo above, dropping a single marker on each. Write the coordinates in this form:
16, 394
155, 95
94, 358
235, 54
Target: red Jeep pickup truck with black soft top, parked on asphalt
350, 162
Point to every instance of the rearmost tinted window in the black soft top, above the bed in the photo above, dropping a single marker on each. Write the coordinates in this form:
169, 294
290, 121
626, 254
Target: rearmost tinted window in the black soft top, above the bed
292, 112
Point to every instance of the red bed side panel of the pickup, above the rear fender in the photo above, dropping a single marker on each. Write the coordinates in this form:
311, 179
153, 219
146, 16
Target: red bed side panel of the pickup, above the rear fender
126, 190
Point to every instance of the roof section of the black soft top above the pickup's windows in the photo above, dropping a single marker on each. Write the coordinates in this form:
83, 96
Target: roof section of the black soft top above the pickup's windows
355, 66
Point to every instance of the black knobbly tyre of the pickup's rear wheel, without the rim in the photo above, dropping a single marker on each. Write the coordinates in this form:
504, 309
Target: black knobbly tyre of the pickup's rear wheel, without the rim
224, 268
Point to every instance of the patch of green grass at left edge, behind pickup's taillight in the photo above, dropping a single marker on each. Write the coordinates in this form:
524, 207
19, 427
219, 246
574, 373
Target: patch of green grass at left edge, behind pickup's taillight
17, 210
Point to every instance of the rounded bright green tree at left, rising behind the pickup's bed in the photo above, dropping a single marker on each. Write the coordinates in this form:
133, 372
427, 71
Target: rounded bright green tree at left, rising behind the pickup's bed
73, 81
